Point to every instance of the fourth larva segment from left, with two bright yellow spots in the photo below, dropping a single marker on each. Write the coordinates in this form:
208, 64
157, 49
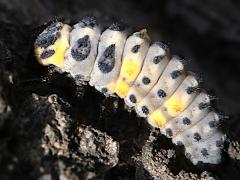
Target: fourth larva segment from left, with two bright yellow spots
134, 53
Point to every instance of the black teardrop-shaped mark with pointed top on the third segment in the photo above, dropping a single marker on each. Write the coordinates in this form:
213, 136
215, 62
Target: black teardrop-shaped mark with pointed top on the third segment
107, 61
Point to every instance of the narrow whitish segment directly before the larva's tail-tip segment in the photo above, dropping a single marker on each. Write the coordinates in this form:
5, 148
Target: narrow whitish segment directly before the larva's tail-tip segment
201, 131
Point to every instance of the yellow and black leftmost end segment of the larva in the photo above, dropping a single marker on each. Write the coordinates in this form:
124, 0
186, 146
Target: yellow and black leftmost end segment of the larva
51, 44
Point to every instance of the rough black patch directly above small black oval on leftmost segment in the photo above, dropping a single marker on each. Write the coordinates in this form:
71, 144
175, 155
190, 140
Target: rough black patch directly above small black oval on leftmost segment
46, 39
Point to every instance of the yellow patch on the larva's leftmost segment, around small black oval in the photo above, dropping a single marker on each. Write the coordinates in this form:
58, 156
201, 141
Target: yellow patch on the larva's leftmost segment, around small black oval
60, 46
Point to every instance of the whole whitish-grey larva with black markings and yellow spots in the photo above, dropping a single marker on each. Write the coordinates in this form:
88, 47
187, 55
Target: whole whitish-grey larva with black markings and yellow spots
156, 85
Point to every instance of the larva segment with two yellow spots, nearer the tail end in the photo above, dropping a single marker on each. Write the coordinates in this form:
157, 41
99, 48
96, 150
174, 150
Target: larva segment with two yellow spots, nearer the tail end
177, 103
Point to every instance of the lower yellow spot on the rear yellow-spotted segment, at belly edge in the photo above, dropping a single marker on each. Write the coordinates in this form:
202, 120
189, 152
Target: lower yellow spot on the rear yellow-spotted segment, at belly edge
157, 118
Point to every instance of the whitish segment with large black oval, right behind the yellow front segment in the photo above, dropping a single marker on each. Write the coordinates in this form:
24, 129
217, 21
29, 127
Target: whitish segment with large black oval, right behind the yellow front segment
81, 55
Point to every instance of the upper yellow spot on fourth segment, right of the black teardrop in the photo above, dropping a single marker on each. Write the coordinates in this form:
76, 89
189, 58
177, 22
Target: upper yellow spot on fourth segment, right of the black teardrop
130, 70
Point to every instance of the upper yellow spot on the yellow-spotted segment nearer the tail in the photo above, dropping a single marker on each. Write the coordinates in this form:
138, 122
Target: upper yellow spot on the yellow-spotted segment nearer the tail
174, 105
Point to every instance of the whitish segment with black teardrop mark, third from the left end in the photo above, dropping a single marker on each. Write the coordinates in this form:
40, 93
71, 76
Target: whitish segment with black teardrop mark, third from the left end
108, 62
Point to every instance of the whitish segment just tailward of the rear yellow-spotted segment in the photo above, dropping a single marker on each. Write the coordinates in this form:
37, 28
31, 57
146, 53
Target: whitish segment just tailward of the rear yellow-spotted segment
197, 110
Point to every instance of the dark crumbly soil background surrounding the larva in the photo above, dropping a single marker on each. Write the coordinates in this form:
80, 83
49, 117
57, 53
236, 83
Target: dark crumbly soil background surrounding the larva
55, 129
